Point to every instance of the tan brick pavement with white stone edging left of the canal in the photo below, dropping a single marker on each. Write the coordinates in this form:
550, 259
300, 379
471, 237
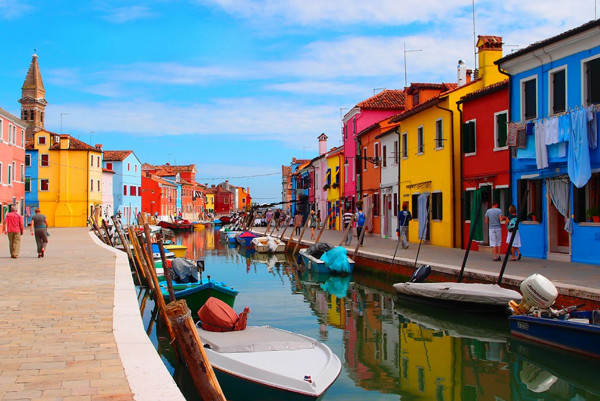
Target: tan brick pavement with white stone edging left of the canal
70, 325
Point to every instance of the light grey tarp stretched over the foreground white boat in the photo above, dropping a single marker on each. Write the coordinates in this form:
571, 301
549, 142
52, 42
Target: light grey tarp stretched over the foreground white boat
255, 339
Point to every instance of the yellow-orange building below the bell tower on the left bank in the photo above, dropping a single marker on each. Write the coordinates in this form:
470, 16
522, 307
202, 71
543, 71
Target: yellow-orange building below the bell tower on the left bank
69, 178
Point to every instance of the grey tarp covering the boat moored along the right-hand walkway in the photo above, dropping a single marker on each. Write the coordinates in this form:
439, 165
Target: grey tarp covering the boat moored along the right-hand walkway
489, 294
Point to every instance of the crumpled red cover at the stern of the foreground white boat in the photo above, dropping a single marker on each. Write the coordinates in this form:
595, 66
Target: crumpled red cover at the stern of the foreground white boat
215, 315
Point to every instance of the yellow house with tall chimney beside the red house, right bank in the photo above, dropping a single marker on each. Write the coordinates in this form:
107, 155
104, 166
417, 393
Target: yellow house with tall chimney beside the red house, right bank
430, 135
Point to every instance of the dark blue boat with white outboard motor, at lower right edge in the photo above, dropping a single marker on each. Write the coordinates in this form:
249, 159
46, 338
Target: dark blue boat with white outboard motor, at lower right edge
578, 332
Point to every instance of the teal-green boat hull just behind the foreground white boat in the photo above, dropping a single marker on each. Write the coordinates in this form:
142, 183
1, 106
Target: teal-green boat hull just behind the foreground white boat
196, 294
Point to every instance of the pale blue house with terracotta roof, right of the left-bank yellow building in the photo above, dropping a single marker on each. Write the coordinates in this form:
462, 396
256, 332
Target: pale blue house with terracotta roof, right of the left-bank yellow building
127, 182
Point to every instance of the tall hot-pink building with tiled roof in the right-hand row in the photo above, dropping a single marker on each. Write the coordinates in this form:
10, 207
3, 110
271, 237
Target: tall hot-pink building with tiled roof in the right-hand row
385, 104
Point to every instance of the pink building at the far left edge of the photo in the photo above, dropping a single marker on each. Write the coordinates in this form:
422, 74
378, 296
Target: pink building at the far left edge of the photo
12, 162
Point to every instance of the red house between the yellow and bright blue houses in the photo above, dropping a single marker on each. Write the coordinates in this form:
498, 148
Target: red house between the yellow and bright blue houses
485, 159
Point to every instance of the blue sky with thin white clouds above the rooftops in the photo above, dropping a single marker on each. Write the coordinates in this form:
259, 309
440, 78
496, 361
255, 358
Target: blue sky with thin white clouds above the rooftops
239, 87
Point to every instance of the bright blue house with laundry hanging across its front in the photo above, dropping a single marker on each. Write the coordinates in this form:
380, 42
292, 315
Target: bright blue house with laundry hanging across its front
555, 165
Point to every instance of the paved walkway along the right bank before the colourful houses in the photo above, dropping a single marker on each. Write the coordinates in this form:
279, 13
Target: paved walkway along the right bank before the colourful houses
572, 279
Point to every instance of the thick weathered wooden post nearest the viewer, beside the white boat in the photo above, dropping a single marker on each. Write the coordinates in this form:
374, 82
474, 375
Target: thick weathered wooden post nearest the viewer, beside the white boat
192, 348
